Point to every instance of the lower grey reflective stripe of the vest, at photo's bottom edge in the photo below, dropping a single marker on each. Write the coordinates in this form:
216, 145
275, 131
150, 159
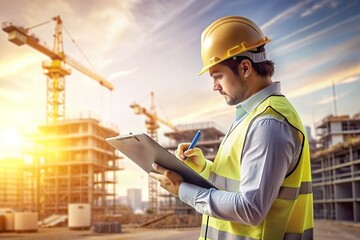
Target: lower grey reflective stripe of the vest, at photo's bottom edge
218, 234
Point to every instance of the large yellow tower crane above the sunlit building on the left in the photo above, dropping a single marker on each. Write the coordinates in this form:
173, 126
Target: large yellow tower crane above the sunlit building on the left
55, 70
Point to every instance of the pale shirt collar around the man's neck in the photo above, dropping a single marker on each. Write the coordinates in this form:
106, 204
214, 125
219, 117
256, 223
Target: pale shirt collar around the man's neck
252, 102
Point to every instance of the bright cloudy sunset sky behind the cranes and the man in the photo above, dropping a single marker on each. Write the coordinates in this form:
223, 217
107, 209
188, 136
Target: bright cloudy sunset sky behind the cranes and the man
154, 45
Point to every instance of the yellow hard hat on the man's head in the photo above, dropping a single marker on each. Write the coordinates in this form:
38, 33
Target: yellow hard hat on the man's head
229, 37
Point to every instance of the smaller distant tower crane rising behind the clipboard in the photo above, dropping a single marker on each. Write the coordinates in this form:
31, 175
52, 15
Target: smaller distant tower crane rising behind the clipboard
152, 125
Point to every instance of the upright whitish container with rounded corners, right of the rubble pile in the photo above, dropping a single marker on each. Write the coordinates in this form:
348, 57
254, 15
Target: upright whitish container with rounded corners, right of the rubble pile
79, 216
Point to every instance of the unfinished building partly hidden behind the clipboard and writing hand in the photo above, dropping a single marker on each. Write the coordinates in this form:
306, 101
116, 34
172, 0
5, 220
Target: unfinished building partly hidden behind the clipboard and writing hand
209, 143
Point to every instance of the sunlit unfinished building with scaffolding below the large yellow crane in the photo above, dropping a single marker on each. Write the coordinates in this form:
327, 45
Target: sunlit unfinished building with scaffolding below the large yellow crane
74, 164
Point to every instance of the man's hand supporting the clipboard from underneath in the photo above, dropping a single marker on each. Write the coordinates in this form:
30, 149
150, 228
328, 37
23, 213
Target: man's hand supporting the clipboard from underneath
169, 180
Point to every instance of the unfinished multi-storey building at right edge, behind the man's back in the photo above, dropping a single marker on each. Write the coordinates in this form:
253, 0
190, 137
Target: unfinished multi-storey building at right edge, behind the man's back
336, 169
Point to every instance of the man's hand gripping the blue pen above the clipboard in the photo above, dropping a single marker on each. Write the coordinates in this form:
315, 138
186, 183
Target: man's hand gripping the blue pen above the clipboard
194, 157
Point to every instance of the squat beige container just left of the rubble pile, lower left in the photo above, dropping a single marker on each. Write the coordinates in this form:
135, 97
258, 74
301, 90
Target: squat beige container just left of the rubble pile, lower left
26, 222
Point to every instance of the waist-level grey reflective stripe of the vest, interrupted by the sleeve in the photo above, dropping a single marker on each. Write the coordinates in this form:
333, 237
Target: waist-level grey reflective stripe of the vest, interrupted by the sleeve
287, 193
